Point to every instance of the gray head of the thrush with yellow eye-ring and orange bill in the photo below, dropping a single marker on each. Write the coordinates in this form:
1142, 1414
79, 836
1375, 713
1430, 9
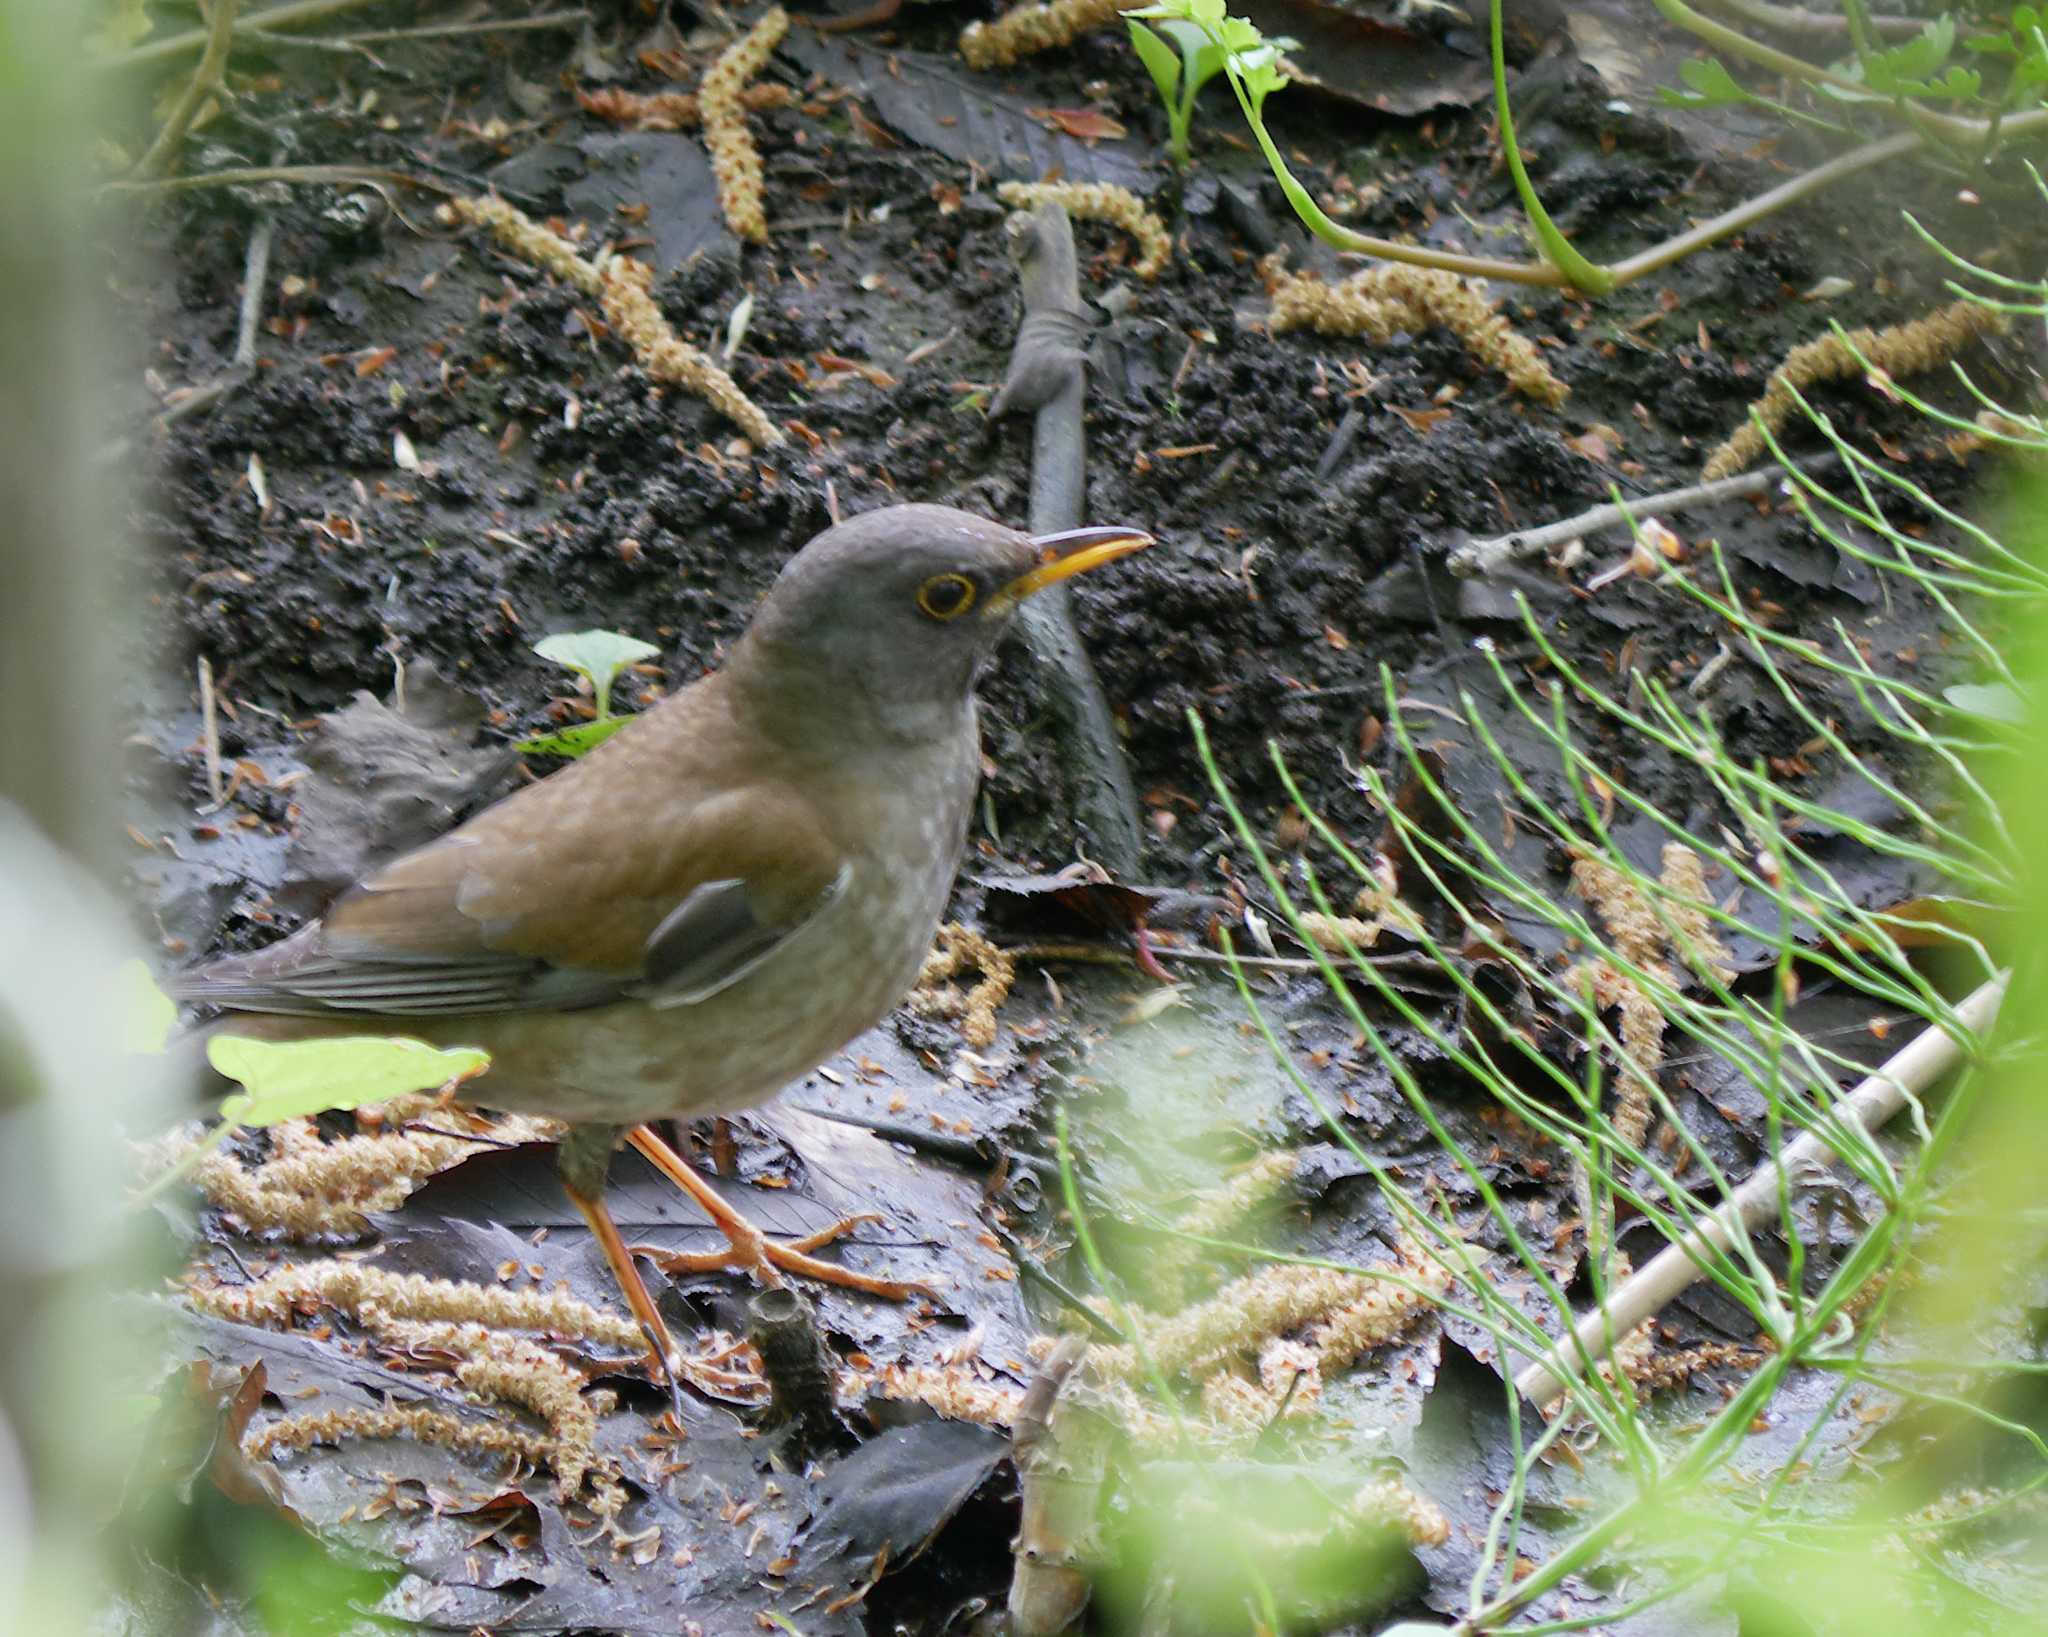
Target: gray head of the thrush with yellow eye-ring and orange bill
892, 616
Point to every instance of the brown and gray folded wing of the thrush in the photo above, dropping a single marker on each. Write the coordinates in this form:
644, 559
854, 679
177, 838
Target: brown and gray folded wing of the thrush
556, 903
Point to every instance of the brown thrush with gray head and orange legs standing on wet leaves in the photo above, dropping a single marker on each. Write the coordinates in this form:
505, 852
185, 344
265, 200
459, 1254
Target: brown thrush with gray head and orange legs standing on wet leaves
720, 896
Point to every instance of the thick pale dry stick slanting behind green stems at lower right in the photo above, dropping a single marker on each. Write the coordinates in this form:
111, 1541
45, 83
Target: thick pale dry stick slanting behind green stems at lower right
1680, 1265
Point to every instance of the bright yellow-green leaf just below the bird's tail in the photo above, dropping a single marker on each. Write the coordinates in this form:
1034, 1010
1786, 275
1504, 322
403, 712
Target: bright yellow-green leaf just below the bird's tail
288, 1079
